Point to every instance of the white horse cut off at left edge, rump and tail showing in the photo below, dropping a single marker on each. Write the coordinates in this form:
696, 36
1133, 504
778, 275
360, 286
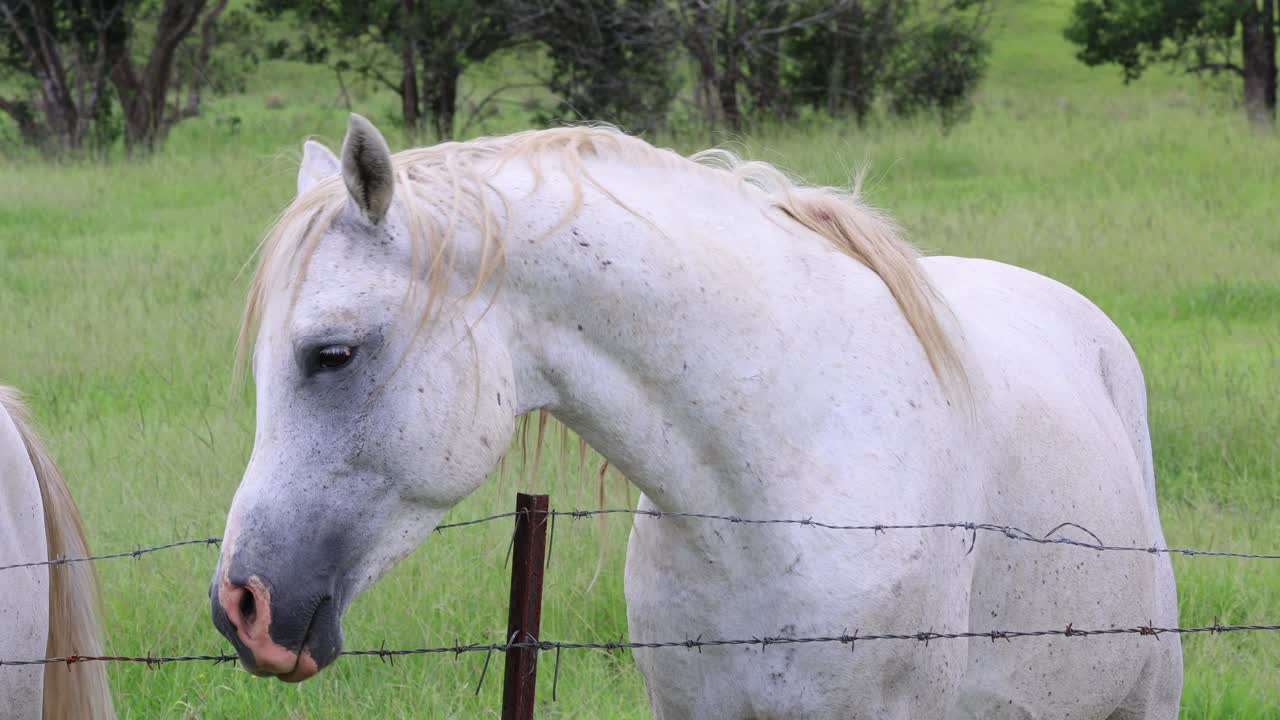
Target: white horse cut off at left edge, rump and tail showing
45, 612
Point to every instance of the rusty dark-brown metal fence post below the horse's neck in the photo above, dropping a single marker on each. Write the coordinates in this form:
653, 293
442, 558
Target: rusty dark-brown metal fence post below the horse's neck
527, 605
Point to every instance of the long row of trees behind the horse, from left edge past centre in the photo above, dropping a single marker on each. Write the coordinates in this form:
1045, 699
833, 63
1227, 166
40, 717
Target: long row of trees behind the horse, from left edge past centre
63, 62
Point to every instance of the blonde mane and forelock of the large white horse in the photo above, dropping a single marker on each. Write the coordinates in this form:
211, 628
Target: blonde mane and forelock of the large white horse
454, 181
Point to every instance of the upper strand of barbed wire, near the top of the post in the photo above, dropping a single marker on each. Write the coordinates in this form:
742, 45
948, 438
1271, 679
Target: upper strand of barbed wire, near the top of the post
1009, 532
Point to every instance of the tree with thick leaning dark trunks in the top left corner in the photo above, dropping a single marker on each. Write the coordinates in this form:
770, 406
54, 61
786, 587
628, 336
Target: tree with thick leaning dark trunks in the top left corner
67, 57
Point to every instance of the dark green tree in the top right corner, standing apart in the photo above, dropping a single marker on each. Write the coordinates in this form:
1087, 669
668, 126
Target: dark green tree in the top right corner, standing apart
1199, 35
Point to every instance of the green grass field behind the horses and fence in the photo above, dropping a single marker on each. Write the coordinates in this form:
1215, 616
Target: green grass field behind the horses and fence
121, 289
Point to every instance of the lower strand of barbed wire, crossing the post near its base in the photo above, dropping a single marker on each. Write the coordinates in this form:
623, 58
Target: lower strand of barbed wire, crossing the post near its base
689, 644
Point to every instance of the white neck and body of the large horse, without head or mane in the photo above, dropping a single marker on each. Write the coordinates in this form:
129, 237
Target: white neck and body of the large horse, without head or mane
767, 402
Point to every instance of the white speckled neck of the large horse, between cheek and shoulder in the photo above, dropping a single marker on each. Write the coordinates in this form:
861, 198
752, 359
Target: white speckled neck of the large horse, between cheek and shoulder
660, 336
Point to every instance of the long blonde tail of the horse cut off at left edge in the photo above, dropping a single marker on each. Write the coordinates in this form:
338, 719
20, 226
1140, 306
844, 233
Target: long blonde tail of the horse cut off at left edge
75, 604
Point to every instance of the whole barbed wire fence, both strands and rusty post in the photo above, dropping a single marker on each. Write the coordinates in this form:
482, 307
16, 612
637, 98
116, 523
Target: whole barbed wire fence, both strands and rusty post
528, 548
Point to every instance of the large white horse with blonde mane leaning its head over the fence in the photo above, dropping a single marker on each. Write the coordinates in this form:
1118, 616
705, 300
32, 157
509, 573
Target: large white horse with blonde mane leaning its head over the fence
734, 343
